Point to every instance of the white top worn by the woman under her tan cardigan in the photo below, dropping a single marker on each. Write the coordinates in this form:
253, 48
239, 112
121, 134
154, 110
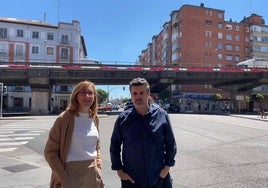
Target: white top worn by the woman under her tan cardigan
84, 139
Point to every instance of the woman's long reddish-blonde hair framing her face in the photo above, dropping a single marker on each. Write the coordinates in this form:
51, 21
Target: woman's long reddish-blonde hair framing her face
74, 105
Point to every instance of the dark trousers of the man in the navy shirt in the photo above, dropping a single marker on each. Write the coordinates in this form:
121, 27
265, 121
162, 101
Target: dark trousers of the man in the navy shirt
161, 183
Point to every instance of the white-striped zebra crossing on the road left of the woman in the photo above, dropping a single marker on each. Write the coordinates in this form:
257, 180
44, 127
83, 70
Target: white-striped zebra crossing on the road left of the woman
17, 133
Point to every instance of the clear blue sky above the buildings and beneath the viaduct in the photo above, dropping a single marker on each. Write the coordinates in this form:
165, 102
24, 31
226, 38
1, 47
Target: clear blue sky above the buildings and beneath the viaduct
118, 30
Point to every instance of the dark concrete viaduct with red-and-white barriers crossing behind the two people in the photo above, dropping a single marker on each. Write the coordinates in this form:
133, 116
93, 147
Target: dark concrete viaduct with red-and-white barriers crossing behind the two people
41, 78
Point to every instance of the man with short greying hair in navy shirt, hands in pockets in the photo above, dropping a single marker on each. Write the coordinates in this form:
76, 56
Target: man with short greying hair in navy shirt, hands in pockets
143, 146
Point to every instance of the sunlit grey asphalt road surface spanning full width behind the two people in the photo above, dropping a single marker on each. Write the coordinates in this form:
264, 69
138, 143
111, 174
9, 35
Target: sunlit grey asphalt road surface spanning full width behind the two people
213, 152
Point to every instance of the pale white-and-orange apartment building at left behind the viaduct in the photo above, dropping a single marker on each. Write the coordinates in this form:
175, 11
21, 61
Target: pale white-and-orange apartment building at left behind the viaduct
37, 41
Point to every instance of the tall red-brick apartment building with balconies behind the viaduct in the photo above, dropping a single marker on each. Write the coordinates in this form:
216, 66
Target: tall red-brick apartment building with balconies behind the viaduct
199, 36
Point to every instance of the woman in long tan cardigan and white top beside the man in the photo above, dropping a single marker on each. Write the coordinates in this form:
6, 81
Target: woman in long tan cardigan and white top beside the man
72, 149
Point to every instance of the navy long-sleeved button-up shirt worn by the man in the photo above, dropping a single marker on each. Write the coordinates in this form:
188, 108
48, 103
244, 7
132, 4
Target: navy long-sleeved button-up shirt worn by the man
148, 144
